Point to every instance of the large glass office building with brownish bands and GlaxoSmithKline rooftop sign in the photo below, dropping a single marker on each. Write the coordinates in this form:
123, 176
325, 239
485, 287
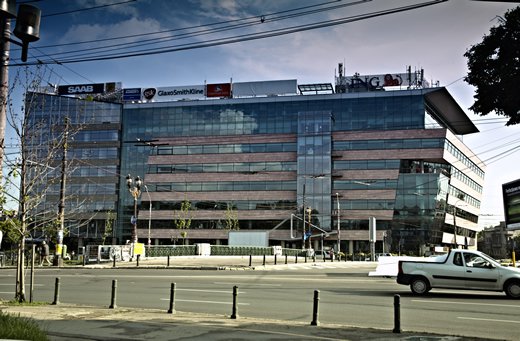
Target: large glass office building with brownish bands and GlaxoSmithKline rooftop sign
263, 153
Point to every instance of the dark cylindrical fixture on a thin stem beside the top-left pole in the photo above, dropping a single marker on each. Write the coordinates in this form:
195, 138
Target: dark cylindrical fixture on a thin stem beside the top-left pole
27, 27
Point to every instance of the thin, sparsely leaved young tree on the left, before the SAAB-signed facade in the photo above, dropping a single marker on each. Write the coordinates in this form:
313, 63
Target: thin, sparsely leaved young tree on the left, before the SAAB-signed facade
33, 169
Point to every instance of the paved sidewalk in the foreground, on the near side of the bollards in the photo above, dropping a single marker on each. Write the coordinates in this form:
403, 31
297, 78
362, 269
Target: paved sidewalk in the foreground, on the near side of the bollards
71, 322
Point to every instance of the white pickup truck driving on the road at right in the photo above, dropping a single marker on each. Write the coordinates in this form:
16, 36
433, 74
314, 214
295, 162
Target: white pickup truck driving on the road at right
460, 269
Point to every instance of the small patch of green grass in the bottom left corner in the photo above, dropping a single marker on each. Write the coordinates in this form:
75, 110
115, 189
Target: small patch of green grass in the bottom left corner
16, 327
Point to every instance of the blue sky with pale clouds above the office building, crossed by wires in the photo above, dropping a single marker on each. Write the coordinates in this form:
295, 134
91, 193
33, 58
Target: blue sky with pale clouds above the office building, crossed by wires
433, 38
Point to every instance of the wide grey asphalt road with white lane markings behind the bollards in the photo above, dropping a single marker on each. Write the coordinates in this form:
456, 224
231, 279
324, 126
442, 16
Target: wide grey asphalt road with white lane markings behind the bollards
346, 297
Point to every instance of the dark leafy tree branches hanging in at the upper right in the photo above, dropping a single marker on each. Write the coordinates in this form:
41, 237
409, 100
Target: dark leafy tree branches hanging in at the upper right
494, 69
